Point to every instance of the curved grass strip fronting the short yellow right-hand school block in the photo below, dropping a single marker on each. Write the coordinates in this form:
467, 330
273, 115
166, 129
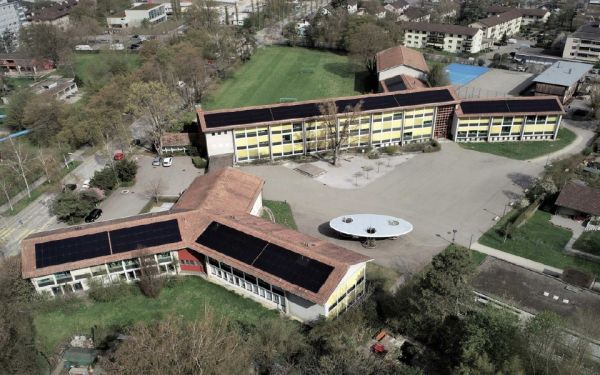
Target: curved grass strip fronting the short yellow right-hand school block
523, 150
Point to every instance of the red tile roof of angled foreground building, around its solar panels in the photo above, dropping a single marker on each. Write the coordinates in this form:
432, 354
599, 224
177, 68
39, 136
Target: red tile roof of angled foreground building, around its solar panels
225, 196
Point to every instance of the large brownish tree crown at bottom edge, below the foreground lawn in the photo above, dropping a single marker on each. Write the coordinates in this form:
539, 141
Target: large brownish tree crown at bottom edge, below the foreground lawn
209, 345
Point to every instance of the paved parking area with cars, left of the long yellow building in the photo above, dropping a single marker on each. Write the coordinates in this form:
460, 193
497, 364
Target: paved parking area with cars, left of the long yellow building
173, 181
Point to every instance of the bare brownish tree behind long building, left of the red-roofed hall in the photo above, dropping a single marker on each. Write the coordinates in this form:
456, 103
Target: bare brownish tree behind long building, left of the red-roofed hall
365, 41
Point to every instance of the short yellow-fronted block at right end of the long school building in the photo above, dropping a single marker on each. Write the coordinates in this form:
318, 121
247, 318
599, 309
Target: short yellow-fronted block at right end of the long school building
507, 119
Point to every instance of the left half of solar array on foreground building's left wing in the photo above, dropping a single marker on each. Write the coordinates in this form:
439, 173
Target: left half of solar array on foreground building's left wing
71, 249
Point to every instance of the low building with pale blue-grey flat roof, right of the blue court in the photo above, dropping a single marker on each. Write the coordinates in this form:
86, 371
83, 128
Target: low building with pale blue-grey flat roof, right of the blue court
561, 79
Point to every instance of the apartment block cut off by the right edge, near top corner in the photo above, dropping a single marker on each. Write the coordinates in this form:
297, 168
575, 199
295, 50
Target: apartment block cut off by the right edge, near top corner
584, 44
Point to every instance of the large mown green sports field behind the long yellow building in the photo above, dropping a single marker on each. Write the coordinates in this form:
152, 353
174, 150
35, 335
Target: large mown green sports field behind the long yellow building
295, 73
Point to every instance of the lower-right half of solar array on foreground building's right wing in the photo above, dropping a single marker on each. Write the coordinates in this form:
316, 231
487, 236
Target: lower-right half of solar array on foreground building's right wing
295, 268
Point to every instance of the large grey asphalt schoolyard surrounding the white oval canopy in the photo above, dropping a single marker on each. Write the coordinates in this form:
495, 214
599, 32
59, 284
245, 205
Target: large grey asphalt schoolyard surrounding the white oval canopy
439, 193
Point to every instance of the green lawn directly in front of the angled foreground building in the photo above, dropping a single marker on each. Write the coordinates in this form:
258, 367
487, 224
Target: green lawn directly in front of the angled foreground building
188, 298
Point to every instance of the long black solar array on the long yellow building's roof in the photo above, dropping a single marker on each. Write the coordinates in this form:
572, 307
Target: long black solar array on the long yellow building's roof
302, 110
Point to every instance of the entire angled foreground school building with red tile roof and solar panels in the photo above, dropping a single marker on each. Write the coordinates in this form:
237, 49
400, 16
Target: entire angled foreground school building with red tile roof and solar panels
212, 231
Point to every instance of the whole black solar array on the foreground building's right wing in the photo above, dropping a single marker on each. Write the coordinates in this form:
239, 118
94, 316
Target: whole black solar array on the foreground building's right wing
295, 268
